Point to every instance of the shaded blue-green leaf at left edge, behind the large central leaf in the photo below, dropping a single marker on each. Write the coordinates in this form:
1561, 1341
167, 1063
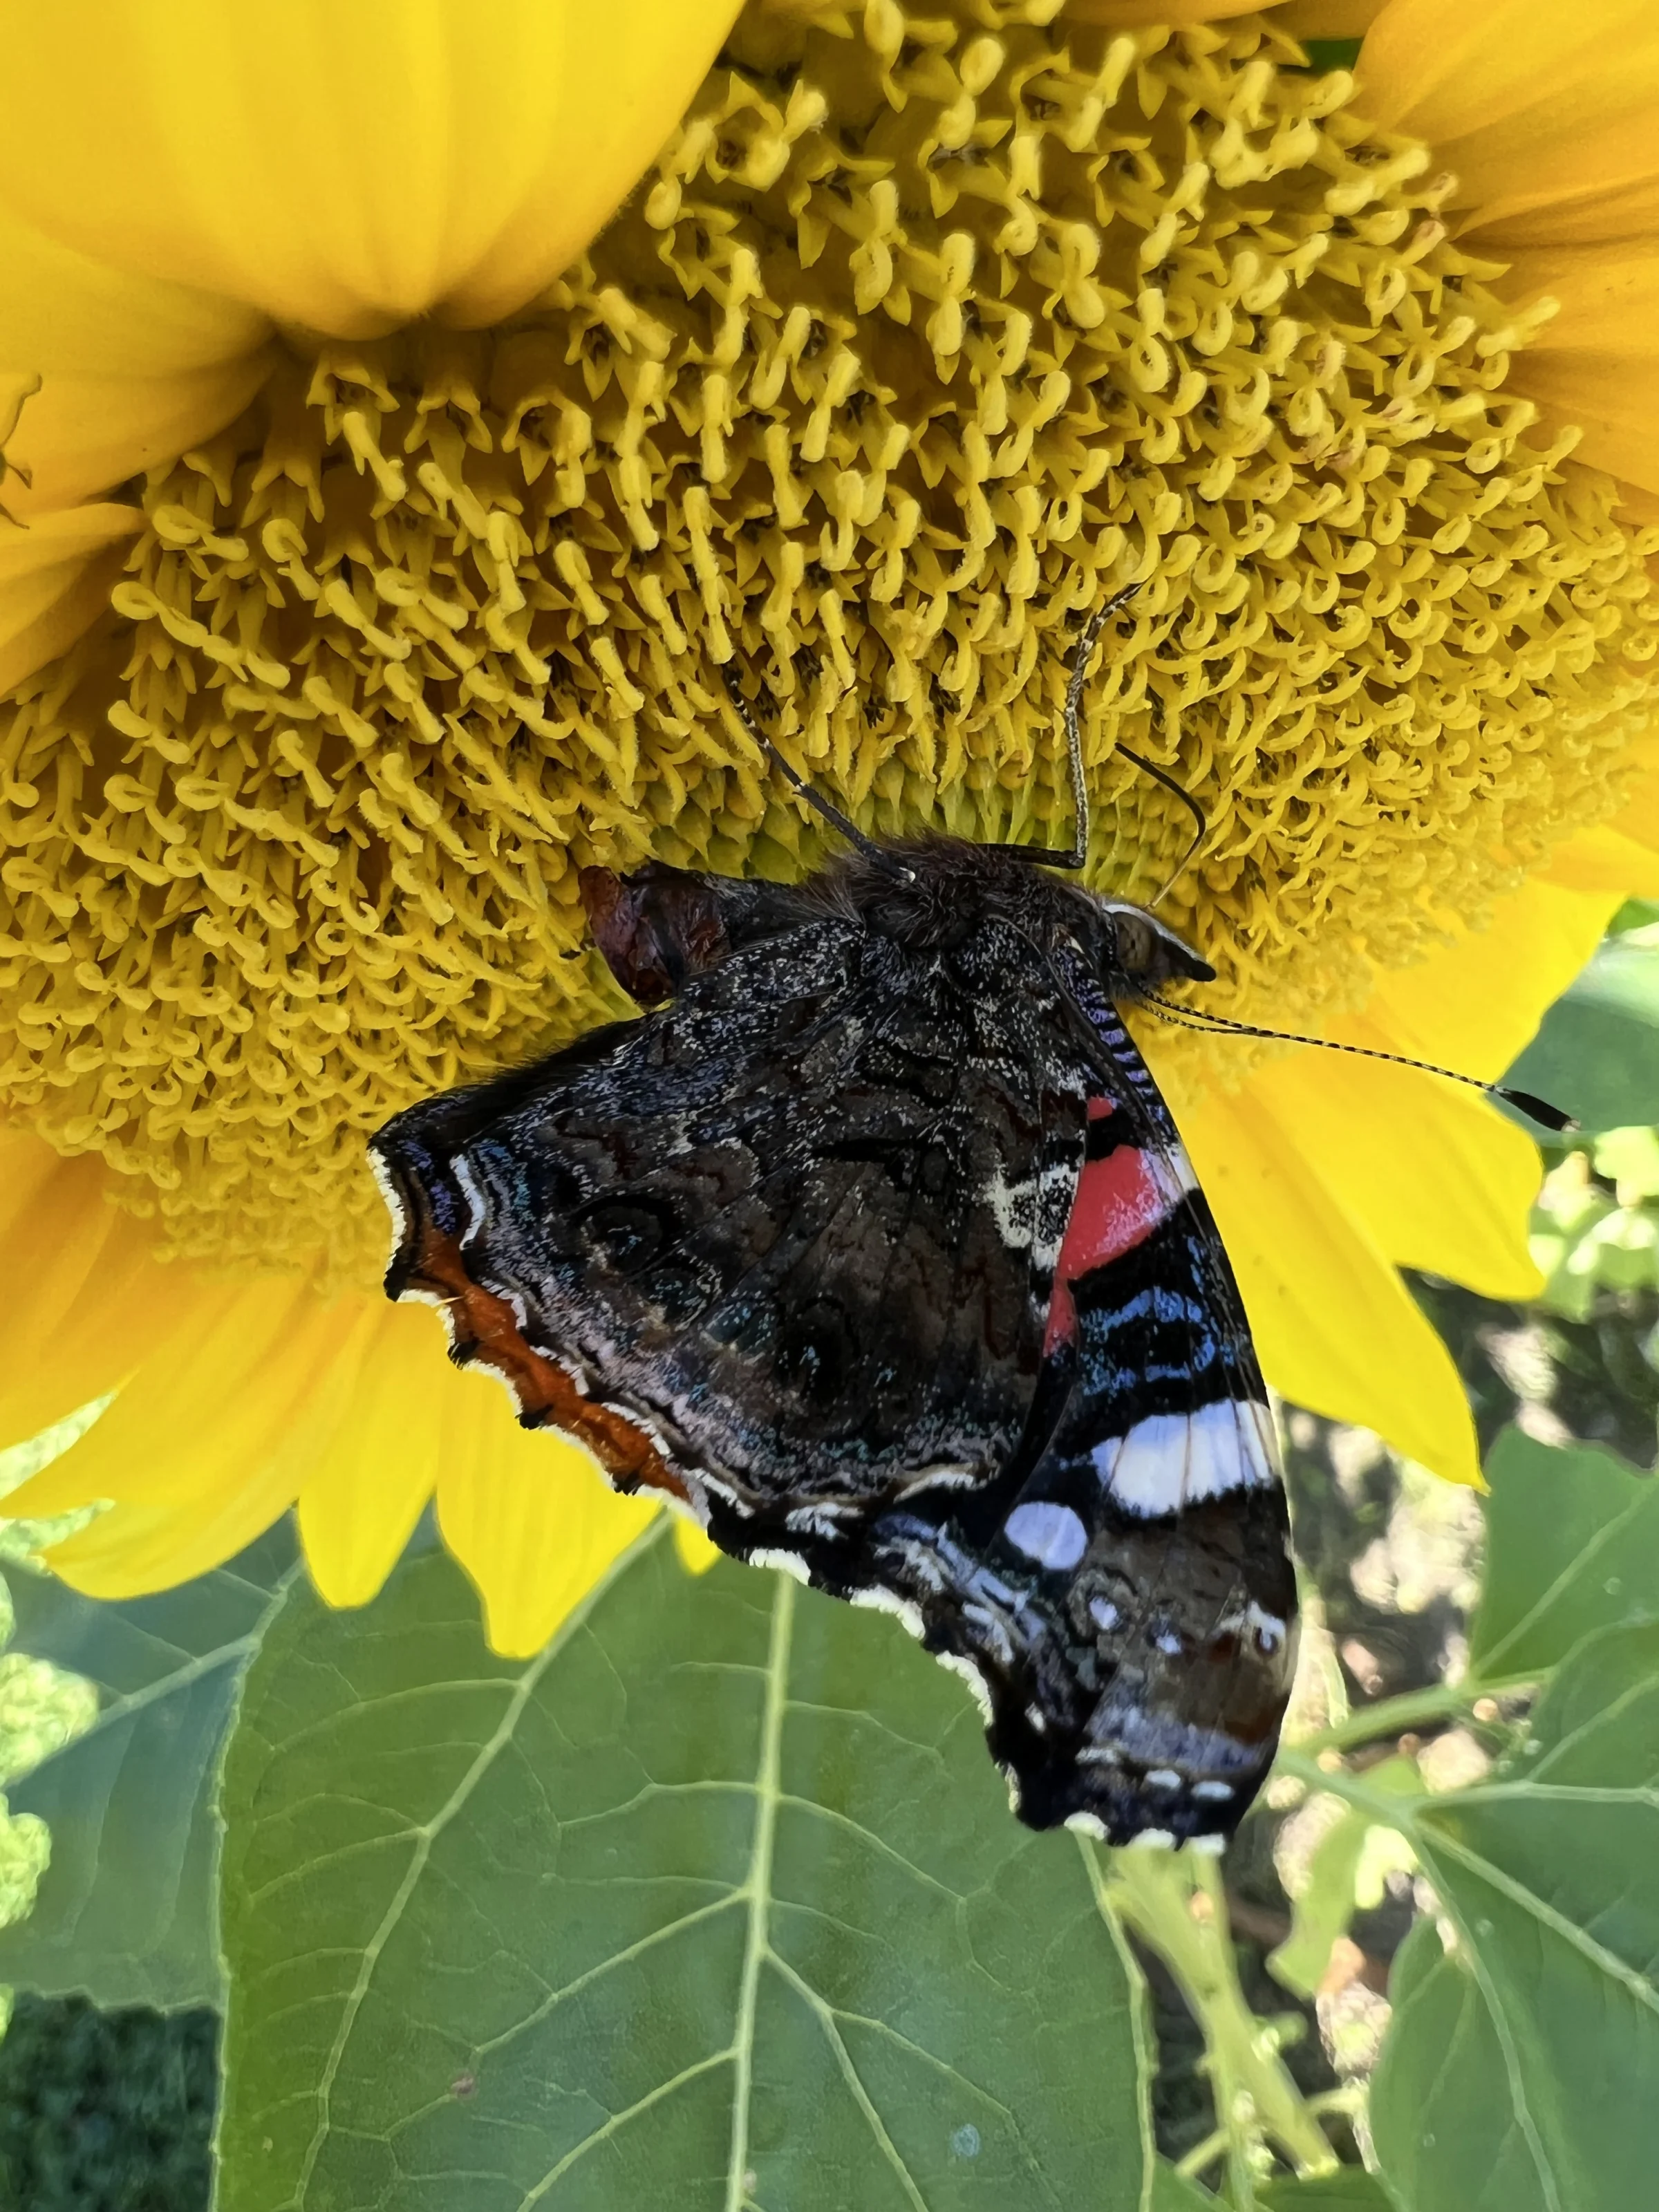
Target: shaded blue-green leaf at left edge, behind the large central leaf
127, 1903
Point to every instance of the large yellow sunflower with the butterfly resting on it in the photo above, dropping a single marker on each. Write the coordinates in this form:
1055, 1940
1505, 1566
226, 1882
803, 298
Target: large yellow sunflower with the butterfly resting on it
406, 421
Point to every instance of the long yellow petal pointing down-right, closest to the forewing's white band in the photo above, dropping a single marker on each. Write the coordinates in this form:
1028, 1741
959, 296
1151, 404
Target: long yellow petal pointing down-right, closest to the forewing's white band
1335, 1326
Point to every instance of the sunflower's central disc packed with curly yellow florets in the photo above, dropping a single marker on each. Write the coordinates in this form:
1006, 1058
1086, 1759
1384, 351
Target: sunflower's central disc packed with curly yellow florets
928, 331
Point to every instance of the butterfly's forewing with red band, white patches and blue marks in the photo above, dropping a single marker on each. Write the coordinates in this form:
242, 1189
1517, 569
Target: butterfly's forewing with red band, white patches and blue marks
1123, 1594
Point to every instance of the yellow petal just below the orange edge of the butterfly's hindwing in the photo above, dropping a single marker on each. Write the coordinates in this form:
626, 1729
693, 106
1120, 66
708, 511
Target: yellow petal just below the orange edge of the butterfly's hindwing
528, 1514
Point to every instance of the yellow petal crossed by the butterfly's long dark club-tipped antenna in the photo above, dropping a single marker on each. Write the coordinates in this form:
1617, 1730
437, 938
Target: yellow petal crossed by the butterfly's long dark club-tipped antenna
1437, 1176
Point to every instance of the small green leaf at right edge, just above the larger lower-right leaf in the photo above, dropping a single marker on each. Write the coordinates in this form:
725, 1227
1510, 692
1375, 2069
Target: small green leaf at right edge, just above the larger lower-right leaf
1572, 1547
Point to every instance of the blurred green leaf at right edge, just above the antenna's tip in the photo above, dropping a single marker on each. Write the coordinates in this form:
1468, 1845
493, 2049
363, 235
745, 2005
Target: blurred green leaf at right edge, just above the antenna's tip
1598, 1047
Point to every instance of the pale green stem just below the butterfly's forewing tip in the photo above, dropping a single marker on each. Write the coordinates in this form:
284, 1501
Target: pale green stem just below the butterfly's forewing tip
1255, 2098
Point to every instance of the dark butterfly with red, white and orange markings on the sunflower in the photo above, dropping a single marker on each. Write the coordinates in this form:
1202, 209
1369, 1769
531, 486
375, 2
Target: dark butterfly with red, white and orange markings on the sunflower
875, 1249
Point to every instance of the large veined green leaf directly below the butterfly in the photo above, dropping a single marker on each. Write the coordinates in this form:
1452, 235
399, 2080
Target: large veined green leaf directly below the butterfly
716, 1903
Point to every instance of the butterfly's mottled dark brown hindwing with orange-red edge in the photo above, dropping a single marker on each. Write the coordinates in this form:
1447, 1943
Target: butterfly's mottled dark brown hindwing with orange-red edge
782, 1246
